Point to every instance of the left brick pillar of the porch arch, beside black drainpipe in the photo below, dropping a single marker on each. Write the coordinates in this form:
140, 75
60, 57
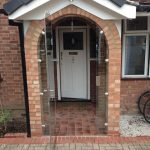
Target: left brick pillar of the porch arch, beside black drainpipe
33, 78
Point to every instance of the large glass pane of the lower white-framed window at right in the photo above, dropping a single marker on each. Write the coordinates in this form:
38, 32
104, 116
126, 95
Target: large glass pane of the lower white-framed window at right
135, 49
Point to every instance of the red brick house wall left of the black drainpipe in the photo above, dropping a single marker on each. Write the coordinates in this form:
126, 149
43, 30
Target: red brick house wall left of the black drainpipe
11, 90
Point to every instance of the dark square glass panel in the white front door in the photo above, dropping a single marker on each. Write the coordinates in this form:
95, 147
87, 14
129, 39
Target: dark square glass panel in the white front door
73, 40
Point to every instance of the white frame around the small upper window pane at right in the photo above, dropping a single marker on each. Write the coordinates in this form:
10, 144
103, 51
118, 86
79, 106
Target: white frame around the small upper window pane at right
137, 31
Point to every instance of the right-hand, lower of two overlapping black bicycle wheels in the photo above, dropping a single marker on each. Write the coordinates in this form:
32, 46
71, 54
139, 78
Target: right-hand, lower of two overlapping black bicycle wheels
146, 111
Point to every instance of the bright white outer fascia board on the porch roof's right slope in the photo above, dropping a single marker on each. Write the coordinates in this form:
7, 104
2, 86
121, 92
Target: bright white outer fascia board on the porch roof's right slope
128, 11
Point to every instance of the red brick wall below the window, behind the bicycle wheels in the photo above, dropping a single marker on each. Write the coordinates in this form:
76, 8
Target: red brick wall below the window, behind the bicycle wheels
130, 91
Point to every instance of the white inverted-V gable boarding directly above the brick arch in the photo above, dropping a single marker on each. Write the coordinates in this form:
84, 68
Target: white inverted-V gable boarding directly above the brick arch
55, 6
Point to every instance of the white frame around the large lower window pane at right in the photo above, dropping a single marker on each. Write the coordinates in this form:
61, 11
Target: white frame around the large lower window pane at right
145, 75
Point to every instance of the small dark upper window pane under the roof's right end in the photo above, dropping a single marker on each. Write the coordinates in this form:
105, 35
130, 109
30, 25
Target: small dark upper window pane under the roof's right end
140, 23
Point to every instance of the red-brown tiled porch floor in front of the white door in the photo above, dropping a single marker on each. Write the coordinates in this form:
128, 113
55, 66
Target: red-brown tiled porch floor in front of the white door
74, 118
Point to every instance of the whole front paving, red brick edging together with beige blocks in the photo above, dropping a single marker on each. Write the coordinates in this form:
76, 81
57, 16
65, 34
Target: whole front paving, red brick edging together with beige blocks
76, 143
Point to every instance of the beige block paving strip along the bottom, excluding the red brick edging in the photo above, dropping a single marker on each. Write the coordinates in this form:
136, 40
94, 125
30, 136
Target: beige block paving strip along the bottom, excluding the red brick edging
88, 146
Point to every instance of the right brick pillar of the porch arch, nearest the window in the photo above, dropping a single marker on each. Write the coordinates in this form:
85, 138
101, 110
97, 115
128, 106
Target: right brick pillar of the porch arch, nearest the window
114, 75
